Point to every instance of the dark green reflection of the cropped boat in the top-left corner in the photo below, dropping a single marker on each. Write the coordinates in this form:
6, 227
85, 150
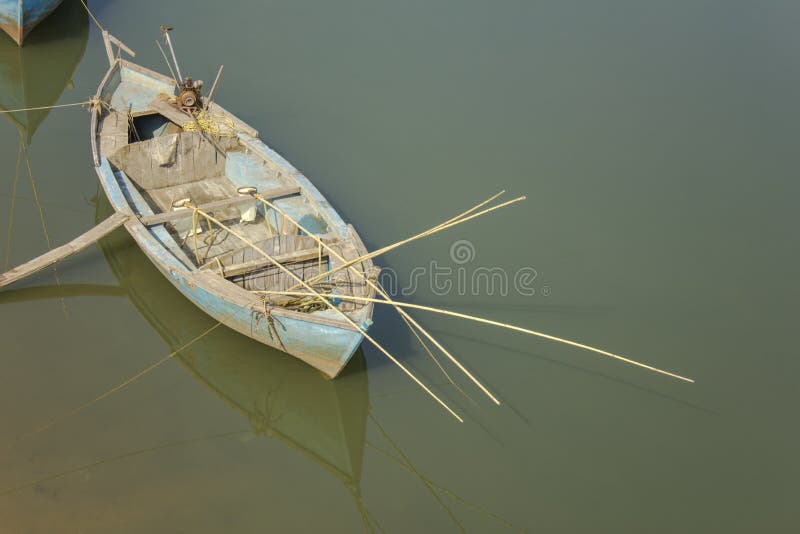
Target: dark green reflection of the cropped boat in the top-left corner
37, 74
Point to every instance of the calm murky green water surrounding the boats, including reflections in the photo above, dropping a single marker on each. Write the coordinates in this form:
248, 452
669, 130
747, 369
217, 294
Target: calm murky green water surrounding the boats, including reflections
657, 145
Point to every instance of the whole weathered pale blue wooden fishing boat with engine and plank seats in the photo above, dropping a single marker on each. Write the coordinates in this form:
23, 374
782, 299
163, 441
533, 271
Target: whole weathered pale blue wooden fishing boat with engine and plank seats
150, 167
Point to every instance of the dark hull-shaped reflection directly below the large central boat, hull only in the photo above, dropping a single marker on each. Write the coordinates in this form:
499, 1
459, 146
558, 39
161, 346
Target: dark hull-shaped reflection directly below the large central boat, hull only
279, 395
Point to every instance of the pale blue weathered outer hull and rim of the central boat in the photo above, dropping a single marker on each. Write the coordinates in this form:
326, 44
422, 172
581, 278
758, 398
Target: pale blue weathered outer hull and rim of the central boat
320, 339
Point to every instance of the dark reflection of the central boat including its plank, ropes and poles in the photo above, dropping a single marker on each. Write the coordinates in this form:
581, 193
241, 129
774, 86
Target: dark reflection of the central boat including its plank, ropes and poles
278, 396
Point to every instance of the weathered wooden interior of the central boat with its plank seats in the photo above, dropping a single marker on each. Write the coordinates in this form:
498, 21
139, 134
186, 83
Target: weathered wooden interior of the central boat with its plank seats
165, 163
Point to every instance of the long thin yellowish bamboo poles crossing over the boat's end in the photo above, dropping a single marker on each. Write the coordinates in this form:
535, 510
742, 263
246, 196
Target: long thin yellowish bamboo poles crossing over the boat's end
313, 294
